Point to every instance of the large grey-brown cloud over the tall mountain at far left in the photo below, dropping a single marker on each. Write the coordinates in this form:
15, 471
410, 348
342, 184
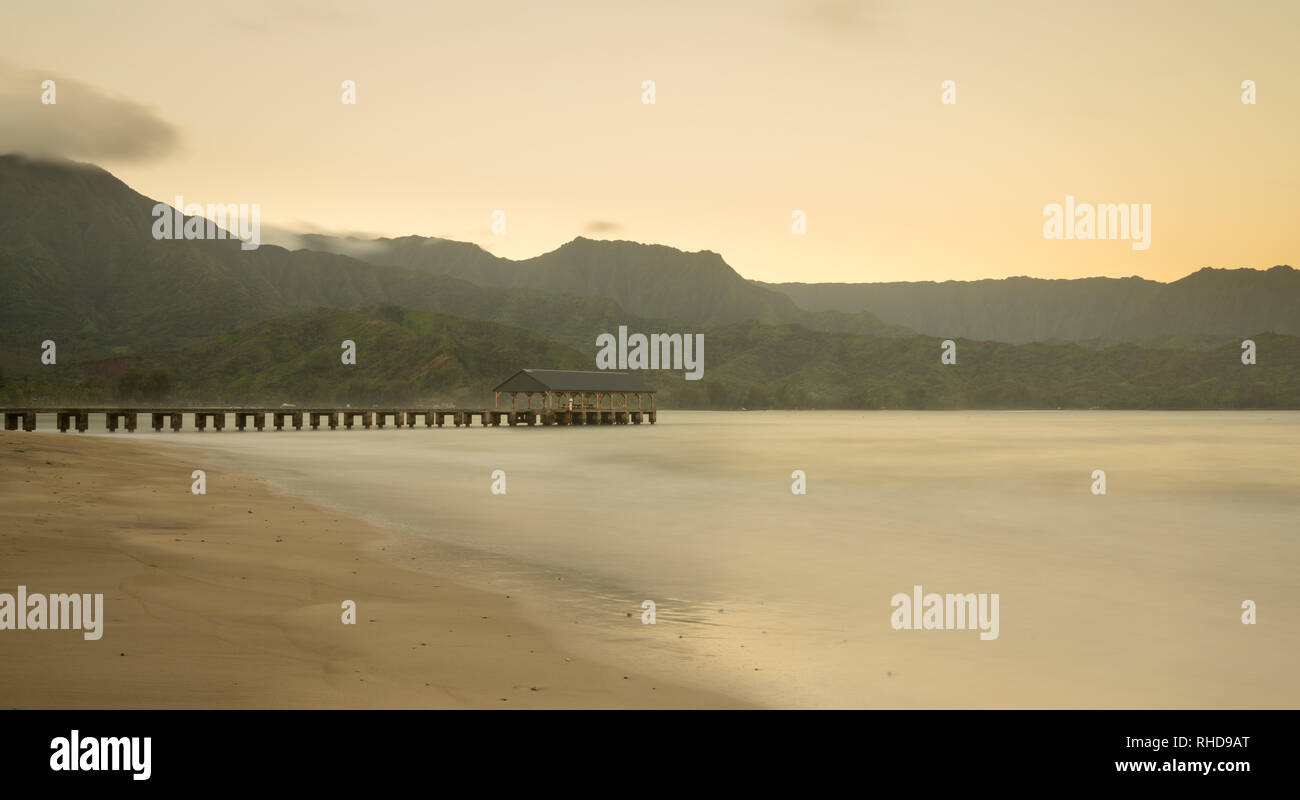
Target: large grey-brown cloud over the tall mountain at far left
84, 123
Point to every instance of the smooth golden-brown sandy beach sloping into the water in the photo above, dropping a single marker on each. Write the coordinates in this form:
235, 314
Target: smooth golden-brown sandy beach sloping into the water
235, 599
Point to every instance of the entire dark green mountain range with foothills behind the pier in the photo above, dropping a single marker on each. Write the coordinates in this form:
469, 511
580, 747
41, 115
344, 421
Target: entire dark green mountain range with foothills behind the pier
440, 321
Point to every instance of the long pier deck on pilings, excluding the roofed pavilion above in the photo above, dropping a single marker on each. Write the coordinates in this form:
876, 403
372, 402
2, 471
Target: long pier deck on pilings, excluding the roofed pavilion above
216, 420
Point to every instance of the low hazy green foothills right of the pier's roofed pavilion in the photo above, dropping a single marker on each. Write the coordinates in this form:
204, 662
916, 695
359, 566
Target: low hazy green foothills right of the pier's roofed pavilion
757, 366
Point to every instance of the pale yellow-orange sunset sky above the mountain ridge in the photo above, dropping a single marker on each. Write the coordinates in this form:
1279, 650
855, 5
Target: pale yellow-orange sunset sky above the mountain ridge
764, 109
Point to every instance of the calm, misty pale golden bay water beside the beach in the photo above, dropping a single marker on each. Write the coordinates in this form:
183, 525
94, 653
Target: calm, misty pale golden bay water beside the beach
1132, 599
